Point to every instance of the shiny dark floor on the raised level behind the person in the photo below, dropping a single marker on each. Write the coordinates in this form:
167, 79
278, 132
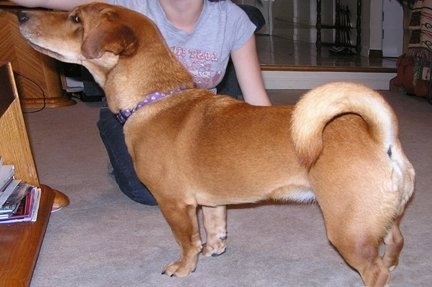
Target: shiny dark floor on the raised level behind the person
281, 54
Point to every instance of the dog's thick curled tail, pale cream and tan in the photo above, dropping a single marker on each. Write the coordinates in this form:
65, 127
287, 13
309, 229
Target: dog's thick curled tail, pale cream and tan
320, 105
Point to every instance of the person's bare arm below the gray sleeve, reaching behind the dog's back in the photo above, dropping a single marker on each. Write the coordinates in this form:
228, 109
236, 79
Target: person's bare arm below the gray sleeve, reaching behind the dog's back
248, 71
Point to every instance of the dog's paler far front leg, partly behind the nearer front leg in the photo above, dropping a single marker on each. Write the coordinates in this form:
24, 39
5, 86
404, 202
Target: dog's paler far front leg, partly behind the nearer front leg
215, 227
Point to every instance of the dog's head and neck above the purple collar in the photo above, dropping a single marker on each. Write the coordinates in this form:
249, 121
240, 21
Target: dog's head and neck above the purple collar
121, 48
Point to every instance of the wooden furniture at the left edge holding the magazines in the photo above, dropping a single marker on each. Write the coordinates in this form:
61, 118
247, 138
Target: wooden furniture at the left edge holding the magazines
19, 242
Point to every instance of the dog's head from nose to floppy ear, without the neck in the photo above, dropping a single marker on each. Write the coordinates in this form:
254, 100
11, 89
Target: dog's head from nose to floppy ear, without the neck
85, 33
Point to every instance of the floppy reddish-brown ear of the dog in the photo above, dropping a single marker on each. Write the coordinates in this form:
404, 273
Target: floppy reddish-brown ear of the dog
110, 35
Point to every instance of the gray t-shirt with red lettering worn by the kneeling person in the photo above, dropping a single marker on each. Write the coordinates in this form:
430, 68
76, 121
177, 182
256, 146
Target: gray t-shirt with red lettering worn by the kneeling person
222, 27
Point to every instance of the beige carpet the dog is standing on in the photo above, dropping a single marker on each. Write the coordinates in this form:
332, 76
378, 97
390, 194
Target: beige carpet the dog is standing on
105, 239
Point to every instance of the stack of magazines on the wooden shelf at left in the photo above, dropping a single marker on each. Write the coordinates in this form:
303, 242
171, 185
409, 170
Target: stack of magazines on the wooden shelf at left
19, 201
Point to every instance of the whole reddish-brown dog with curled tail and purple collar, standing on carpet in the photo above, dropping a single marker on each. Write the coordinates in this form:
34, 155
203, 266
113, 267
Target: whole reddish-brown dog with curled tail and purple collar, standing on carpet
192, 148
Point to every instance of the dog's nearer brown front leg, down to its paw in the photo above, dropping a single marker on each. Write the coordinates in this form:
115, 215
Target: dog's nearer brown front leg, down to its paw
184, 225
